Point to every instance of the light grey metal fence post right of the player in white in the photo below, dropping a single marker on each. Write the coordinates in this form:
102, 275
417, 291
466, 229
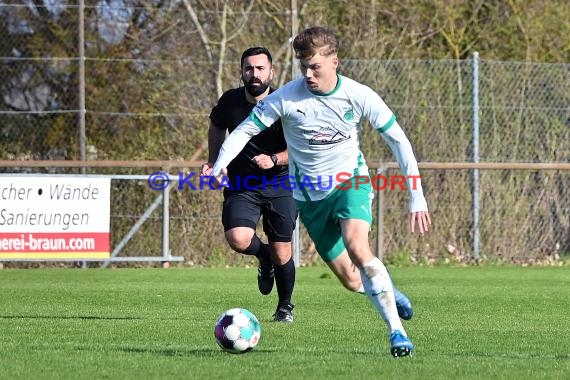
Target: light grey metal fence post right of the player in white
476, 184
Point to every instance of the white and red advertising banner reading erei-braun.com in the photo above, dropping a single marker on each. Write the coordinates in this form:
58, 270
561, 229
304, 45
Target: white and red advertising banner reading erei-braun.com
54, 217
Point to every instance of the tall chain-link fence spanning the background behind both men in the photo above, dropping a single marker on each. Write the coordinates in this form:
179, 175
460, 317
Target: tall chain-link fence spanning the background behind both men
64, 104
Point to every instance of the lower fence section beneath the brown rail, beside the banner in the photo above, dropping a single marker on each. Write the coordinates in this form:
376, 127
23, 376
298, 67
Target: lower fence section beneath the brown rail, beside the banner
524, 224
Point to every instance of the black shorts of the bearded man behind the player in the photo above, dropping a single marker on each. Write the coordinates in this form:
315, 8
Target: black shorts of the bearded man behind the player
245, 208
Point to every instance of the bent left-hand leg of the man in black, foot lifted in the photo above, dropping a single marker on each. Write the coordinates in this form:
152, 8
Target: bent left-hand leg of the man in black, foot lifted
240, 215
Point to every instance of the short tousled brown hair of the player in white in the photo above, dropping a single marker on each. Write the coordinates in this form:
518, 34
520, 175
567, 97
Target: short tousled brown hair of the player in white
316, 39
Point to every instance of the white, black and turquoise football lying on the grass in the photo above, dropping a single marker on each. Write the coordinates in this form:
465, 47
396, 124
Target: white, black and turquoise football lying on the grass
237, 331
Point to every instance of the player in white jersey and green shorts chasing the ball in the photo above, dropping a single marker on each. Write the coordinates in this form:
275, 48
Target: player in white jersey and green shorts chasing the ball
320, 114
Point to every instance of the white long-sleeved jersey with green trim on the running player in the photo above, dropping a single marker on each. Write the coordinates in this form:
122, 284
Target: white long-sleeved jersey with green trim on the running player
321, 131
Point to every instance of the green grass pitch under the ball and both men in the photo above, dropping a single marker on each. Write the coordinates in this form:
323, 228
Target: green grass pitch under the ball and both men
469, 323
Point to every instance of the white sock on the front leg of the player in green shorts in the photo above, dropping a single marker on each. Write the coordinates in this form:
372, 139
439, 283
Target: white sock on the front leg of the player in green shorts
378, 288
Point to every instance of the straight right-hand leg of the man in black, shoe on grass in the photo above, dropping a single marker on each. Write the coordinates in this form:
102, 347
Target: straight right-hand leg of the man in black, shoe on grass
279, 217
